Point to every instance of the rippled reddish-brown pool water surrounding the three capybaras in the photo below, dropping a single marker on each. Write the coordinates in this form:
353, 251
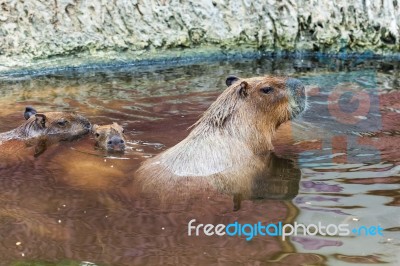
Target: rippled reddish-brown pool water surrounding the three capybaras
74, 204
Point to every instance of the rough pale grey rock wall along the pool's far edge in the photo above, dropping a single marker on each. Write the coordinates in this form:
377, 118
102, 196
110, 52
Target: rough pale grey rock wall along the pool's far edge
40, 29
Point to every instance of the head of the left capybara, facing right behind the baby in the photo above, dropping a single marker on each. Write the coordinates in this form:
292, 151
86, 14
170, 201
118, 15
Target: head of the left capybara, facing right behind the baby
55, 125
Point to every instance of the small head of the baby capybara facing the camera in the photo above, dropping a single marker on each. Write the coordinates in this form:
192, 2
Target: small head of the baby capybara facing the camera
109, 137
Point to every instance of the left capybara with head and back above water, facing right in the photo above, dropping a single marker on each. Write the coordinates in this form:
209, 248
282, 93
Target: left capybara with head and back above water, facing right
43, 129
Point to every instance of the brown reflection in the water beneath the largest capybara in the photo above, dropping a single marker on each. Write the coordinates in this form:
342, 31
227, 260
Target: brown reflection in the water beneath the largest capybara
254, 178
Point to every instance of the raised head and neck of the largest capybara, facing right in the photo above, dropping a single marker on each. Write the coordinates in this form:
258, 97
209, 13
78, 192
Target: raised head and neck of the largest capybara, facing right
251, 109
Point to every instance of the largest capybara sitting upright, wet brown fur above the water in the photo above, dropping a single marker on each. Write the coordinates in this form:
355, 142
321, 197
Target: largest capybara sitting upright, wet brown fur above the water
239, 125
